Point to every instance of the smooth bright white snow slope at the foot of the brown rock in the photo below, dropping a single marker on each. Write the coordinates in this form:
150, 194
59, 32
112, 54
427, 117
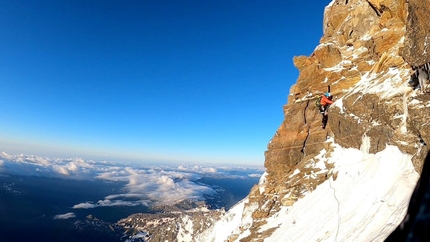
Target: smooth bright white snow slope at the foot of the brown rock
359, 204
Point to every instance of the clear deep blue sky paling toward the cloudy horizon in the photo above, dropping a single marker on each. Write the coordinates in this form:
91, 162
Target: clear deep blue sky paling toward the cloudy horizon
188, 81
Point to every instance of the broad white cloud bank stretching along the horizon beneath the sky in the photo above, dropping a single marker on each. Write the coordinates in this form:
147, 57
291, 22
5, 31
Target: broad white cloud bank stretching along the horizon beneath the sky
143, 186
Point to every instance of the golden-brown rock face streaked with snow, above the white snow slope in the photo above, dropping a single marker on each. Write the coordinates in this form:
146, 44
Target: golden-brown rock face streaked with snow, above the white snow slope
364, 41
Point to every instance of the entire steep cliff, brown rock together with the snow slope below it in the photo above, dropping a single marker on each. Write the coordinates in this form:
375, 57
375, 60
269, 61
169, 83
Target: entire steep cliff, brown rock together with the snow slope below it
366, 56
